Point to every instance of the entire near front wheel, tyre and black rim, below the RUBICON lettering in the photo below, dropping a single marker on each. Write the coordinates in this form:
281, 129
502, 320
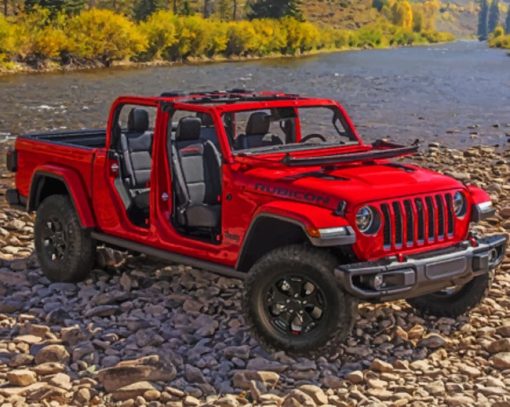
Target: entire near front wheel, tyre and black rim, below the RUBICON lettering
292, 302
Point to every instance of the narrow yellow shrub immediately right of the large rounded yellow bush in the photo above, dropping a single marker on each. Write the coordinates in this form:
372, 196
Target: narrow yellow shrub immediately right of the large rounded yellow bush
160, 31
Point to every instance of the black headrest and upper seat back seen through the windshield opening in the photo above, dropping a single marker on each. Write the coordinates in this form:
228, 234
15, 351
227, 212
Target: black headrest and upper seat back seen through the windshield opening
257, 133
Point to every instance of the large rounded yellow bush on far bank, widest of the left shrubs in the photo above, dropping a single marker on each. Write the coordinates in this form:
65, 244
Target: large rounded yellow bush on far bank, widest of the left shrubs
102, 35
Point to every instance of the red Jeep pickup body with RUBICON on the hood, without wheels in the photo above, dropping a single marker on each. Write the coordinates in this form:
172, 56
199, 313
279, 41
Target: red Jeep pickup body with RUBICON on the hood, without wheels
314, 190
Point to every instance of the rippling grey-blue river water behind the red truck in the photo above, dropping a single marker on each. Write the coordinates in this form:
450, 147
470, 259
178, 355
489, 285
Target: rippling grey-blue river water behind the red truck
458, 93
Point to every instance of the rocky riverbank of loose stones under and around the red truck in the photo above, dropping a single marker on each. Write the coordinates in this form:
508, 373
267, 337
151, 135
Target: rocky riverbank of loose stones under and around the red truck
141, 332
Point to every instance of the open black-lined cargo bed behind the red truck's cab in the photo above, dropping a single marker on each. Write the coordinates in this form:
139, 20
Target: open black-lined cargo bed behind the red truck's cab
89, 138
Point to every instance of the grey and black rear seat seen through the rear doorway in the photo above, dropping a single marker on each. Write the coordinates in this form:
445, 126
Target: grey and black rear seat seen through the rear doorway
136, 147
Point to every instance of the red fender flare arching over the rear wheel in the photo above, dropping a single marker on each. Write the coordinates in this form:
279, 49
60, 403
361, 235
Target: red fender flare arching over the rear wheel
75, 188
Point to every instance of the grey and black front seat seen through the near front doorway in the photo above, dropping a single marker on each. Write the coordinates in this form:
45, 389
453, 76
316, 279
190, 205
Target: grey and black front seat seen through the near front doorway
197, 177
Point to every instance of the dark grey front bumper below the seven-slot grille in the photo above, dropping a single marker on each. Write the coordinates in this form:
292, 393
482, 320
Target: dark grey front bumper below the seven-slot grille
418, 275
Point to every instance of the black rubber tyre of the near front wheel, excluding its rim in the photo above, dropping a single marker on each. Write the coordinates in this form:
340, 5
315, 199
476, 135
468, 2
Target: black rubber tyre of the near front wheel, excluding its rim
311, 264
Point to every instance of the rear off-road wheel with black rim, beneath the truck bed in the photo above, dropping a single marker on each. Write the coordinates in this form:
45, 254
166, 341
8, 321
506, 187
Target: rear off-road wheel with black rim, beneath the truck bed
77, 255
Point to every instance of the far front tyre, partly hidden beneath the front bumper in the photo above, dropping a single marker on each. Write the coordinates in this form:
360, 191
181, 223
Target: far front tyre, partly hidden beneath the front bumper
456, 304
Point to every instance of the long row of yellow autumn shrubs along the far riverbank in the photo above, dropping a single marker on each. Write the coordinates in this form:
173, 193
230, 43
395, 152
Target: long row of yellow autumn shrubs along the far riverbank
101, 38
